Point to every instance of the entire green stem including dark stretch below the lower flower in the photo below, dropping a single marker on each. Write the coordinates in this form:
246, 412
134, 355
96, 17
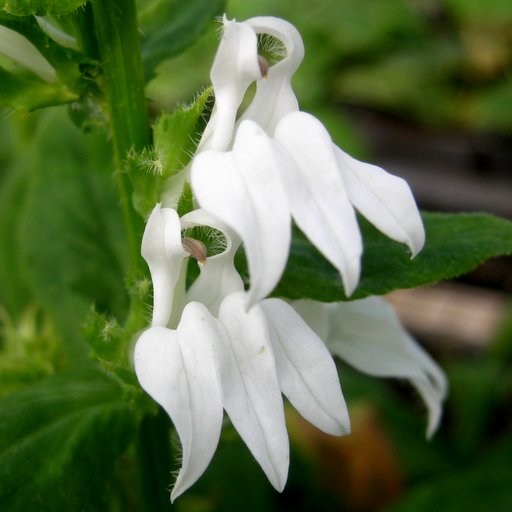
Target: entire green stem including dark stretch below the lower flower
115, 26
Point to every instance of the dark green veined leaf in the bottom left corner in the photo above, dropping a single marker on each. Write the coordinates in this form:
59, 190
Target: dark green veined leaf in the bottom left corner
59, 441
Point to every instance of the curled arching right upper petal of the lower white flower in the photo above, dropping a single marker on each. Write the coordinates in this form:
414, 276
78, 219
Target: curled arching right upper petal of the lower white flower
218, 276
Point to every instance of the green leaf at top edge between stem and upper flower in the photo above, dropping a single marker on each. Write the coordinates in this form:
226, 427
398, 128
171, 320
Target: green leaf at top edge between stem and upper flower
169, 26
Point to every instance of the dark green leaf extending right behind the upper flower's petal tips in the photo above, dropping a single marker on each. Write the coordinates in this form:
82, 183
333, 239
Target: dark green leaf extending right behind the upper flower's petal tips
456, 243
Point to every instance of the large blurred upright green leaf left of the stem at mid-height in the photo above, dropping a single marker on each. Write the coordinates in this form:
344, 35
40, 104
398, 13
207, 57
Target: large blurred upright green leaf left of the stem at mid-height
71, 240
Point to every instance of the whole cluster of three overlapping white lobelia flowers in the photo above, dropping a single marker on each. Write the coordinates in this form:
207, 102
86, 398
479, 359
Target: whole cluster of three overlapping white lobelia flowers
216, 347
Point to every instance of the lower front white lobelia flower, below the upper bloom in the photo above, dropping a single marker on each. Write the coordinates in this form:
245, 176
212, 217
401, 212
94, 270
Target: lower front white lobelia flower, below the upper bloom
196, 360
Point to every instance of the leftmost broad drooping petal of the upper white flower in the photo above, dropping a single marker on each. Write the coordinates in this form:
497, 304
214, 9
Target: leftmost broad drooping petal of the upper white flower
242, 188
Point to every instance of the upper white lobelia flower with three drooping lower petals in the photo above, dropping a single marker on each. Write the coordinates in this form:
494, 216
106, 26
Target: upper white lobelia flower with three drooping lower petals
276, 163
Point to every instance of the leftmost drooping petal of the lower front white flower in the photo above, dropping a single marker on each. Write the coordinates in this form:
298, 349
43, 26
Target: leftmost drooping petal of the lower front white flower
177, 369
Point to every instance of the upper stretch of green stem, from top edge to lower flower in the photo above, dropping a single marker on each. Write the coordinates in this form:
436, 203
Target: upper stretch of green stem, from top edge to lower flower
115, 24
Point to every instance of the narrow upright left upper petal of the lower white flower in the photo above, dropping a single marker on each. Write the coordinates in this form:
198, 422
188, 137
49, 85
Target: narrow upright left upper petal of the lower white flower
164, 254
